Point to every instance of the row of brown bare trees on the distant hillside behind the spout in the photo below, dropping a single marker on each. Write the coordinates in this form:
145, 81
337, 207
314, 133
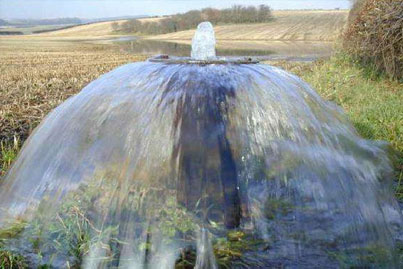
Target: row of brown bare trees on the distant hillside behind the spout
190, 19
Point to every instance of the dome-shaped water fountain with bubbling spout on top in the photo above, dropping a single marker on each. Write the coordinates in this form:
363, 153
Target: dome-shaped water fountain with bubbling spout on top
201, 162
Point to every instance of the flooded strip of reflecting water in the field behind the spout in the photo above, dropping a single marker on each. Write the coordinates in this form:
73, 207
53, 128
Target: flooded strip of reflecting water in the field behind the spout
305, 51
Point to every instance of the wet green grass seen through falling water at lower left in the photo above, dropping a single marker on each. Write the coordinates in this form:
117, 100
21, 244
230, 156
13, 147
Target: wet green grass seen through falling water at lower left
69, 232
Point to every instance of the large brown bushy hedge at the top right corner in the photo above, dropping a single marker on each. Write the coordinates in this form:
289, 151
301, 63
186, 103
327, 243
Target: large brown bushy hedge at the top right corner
374, 35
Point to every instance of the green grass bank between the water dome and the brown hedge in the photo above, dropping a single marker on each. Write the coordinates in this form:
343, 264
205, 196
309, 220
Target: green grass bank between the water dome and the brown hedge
372, 102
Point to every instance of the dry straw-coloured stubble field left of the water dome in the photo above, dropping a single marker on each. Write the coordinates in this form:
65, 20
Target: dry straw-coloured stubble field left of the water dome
36, 76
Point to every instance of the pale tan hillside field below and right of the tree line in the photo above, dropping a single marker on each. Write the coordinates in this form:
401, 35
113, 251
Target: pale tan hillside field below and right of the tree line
307, 25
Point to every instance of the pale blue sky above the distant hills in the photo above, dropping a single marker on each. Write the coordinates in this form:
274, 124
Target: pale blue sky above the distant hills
46, 9
